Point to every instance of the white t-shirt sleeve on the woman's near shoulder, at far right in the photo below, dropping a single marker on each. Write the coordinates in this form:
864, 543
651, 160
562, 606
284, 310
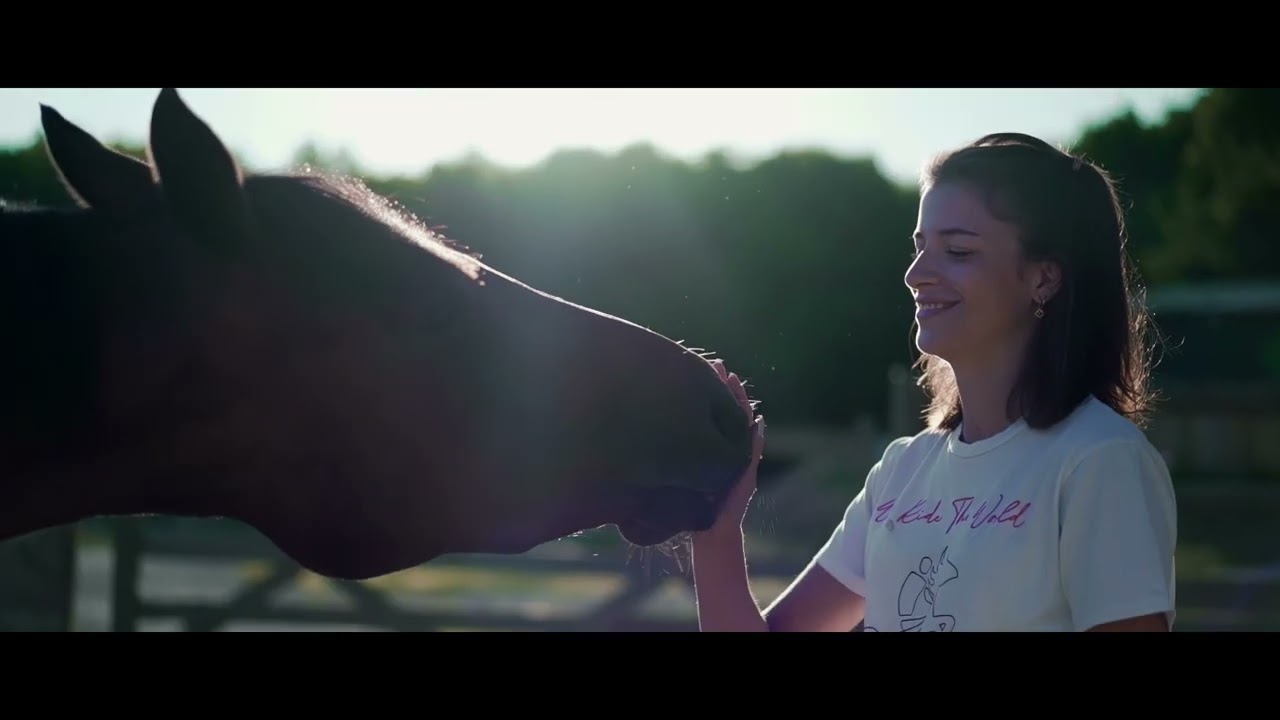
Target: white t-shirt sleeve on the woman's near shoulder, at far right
1118, 535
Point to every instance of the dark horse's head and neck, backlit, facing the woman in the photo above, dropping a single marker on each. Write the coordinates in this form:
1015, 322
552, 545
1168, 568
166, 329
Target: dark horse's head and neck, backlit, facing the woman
296, 353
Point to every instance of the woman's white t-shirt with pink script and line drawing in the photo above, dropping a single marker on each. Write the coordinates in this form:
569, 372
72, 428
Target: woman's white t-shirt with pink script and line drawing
1059, 530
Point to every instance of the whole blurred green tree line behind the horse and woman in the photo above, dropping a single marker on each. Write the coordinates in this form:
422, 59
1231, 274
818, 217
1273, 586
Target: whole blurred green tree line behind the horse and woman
792, 268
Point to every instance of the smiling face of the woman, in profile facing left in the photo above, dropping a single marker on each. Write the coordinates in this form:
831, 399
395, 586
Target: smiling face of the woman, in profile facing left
975, 297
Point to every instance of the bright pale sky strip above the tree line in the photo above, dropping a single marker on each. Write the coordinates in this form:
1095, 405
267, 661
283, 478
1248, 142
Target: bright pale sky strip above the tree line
408, 131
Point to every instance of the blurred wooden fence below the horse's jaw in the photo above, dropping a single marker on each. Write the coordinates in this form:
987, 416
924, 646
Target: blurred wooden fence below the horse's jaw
636, 582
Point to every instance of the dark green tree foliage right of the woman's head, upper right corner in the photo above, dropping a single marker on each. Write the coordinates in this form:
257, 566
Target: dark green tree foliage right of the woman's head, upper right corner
1204, 186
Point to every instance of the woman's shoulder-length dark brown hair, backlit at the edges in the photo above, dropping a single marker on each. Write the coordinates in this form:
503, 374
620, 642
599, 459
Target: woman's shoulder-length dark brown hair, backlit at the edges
1092, 338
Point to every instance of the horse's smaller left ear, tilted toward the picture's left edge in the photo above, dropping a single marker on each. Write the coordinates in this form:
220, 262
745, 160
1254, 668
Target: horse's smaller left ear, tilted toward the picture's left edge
95, 175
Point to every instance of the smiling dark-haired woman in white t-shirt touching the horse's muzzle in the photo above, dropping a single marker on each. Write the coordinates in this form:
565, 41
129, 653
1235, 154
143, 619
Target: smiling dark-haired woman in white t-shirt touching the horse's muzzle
1032, 502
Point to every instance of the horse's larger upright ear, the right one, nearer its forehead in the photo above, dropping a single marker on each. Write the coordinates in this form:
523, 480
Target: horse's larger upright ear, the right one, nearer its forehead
198, 175
